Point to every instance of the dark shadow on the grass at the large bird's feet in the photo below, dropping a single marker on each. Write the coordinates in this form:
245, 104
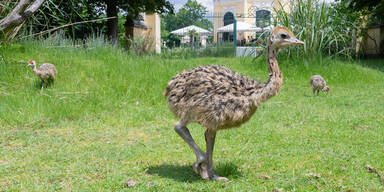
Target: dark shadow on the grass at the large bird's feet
184, 173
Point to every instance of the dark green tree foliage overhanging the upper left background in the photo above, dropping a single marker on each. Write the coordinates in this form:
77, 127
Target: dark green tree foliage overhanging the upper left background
56, 13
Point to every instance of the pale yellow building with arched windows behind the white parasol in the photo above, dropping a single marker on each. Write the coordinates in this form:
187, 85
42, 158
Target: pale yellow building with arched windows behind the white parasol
256, 13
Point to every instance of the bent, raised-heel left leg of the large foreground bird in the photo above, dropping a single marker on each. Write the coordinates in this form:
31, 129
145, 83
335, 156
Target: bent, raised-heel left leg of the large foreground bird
184, 133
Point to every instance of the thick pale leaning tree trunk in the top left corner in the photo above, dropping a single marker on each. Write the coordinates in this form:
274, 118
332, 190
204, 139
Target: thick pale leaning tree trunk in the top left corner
22, 11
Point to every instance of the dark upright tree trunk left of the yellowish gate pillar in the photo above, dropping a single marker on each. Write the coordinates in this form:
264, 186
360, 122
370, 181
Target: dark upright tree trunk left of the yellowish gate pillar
112, 24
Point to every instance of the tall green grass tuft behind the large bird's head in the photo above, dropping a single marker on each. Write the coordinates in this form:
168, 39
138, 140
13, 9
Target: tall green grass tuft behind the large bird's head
325, 29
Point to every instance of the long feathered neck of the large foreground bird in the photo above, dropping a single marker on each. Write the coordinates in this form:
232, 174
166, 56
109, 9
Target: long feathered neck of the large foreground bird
275, 78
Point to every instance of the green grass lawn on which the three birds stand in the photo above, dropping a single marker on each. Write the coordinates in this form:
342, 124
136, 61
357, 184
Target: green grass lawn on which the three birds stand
105, 121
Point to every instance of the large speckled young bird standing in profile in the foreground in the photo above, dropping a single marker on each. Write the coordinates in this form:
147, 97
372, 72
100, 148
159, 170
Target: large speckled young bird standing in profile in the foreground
218, 98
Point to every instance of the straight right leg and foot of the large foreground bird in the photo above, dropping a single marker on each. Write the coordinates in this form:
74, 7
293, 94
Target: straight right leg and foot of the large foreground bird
210, 140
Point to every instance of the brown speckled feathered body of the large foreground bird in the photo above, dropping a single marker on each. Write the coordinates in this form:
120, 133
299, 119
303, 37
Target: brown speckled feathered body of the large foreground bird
213, 96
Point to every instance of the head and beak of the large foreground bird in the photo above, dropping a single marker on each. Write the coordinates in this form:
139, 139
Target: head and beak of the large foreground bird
282, 37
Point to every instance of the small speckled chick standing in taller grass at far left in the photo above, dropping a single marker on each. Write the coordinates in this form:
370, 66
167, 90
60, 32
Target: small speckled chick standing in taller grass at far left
46, 71
